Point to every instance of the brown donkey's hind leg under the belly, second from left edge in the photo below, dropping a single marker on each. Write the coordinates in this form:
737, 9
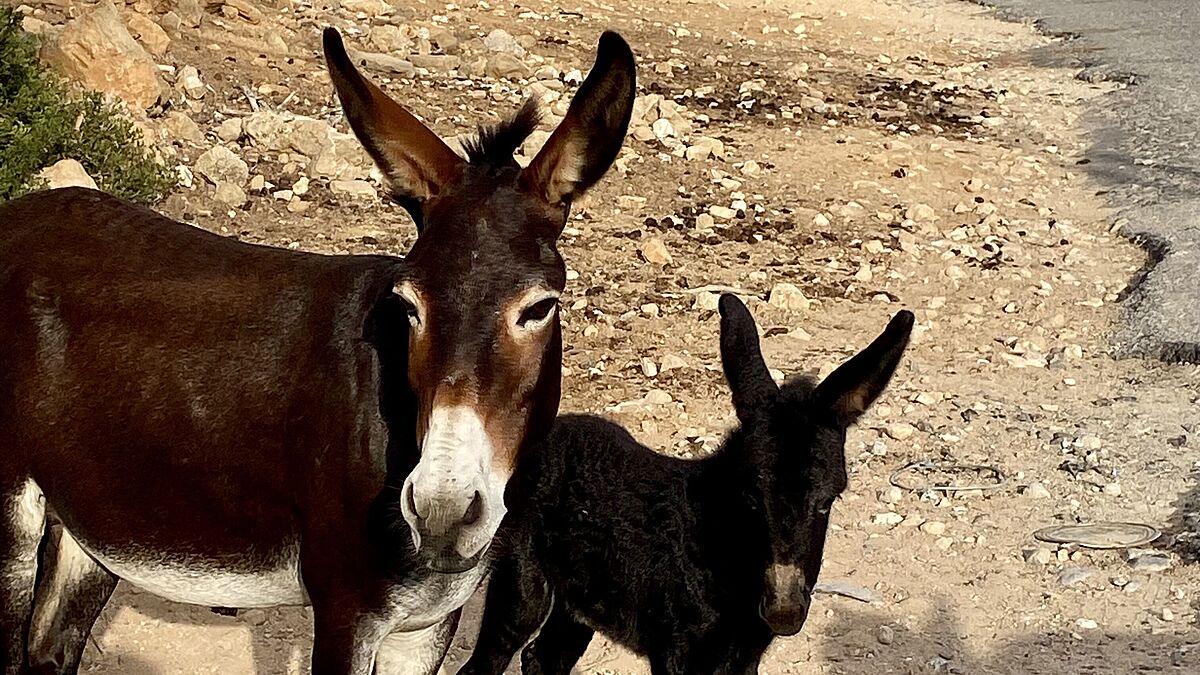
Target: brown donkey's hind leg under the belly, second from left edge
73, 590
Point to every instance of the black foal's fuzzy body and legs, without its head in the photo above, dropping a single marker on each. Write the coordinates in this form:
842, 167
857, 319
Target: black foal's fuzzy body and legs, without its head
622, 557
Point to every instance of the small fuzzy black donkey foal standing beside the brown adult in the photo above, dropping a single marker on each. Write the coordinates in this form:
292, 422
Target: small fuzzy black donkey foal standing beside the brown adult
697, 565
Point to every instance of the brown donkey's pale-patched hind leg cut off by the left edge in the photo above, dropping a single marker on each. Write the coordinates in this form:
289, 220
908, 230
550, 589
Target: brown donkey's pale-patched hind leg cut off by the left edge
21, 535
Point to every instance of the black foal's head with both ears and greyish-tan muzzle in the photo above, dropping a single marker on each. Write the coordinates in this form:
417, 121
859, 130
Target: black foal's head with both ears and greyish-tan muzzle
796, 439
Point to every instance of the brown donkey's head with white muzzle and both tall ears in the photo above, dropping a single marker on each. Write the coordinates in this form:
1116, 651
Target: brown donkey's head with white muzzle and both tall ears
482, 286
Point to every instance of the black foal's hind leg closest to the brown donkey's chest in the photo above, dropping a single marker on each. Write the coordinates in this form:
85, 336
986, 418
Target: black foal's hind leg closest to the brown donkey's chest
519, 600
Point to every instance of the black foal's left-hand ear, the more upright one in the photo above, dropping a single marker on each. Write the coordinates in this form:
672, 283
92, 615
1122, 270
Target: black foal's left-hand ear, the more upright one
742, 360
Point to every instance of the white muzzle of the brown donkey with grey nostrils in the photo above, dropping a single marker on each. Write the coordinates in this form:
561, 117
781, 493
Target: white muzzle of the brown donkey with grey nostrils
454, 499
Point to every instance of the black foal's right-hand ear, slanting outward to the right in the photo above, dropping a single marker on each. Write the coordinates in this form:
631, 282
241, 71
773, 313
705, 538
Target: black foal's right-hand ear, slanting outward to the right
855, 386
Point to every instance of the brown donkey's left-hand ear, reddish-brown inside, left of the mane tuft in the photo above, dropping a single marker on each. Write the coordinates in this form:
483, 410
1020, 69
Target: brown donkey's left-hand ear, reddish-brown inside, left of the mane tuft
417, 163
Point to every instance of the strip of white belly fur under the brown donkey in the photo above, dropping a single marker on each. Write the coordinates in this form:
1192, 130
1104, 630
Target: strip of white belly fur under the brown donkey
209, 586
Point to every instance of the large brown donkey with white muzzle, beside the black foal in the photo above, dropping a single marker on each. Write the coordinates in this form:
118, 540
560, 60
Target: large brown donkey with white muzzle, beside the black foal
238, 426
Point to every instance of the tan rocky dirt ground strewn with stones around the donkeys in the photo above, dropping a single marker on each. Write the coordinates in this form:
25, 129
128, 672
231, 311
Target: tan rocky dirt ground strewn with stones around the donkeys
832, 163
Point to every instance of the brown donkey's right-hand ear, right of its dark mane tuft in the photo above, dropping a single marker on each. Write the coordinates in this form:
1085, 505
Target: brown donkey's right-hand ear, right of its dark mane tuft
584, 147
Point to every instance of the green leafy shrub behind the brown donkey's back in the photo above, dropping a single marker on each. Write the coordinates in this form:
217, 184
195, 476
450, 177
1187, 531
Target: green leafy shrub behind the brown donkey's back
44, 121
